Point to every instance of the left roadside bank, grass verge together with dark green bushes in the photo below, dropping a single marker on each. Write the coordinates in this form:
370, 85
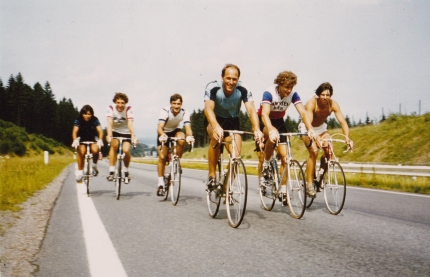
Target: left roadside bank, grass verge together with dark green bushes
22, 170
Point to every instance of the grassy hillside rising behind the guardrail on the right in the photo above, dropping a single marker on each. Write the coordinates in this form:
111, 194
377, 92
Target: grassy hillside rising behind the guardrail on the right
397, 140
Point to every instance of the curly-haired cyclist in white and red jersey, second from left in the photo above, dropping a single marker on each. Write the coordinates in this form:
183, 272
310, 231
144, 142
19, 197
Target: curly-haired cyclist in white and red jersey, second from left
120, 124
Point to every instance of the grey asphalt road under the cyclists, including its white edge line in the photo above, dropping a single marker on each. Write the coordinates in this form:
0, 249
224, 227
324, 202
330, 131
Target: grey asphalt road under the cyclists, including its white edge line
377, 234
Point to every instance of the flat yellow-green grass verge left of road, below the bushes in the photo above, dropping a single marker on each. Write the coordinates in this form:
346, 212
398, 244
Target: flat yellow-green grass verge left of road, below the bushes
21, 177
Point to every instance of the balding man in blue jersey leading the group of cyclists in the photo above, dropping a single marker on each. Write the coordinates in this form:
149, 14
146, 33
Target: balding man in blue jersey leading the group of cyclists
222, 107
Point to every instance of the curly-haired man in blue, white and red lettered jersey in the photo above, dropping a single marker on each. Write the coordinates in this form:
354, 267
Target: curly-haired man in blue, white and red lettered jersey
276, 100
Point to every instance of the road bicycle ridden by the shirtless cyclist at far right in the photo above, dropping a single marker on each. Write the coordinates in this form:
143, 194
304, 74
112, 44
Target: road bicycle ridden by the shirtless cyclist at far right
332, 181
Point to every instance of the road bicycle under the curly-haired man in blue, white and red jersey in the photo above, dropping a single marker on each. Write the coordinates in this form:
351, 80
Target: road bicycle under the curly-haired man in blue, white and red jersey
293, 177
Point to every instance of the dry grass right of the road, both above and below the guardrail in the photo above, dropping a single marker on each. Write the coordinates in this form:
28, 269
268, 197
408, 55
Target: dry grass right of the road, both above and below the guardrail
398, 140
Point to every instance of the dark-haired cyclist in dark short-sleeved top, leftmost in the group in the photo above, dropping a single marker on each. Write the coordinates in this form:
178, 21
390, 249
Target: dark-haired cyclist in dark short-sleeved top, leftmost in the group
87, 128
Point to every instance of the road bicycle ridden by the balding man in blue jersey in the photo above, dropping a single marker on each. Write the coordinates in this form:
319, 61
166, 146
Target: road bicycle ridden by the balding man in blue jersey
231, 183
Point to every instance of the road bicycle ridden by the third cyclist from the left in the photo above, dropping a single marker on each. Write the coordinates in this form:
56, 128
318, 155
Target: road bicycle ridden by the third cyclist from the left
172, 180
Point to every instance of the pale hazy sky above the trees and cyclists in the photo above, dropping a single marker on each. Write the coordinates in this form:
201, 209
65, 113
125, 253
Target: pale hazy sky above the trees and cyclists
375, 53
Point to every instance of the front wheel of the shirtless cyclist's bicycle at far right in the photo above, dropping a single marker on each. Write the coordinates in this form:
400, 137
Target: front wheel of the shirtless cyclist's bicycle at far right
334, 188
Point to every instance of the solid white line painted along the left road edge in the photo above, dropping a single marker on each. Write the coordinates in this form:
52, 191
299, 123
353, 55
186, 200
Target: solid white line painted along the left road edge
102, 257
